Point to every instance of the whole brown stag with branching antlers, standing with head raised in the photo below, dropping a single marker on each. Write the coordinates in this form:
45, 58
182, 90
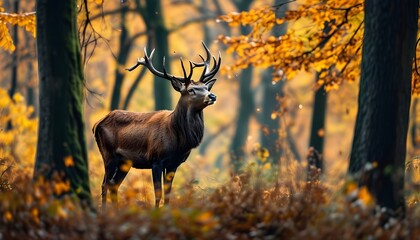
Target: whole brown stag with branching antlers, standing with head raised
159, 140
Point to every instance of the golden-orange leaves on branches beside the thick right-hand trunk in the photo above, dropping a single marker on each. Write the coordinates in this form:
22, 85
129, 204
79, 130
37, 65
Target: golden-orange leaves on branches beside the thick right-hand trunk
325, 36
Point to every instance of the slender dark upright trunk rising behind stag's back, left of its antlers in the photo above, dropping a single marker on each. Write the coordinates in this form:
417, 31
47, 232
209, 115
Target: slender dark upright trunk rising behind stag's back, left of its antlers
124, 50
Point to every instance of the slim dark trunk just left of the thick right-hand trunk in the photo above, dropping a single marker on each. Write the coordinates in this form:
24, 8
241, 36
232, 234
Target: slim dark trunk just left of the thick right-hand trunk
316, 139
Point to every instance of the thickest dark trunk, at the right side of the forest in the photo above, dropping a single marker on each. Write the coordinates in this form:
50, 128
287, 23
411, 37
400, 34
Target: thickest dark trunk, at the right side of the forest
379, 144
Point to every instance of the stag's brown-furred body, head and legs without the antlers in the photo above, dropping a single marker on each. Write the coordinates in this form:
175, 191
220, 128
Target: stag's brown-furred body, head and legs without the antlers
159, 140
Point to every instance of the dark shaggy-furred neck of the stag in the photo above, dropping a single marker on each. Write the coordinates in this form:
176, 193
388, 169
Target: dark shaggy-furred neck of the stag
188, 124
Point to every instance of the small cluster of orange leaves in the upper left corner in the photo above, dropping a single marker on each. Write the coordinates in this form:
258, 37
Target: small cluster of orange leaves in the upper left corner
24, 20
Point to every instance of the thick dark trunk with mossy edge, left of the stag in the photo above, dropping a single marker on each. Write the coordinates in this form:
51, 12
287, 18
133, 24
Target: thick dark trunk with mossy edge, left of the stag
61, 149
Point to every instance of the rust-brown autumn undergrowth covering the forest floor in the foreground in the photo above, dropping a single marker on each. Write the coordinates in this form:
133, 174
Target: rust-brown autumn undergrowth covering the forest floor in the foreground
246, 207
